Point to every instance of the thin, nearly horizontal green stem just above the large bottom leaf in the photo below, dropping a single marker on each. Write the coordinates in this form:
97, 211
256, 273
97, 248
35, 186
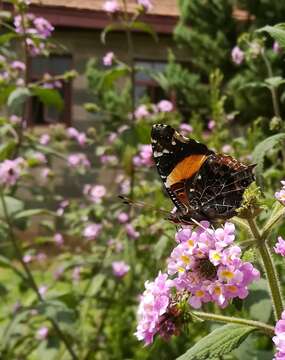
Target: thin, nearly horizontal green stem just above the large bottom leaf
267, 329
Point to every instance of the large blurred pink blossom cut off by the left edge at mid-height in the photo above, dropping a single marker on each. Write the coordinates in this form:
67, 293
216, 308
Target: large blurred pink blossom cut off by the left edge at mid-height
10, 171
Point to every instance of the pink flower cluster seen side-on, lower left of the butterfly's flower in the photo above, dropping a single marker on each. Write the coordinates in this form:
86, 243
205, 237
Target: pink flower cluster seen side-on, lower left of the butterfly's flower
153, 307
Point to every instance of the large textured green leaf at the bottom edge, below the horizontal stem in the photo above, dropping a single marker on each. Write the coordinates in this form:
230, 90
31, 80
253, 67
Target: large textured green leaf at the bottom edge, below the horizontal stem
218, 343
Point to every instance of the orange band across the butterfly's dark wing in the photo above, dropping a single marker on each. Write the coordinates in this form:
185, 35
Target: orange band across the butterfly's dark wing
185, 169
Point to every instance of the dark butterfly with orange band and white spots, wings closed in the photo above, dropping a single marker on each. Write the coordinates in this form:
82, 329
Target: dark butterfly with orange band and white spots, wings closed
203, 185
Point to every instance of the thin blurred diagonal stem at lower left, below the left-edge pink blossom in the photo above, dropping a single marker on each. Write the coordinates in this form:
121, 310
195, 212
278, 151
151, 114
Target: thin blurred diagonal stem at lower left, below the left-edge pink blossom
29, 276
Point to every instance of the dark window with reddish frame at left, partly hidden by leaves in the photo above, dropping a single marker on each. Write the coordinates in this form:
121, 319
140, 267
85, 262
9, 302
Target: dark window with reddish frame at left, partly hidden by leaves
38, 112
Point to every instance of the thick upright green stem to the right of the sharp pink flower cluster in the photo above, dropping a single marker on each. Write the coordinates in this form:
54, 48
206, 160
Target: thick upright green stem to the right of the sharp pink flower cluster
269, 269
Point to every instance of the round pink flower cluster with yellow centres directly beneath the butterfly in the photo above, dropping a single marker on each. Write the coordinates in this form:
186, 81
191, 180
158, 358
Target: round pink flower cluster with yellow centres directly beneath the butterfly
208, 266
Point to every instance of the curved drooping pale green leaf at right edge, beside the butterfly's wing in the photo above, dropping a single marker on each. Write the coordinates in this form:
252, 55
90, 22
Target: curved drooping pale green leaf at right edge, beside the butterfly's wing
261, 150
